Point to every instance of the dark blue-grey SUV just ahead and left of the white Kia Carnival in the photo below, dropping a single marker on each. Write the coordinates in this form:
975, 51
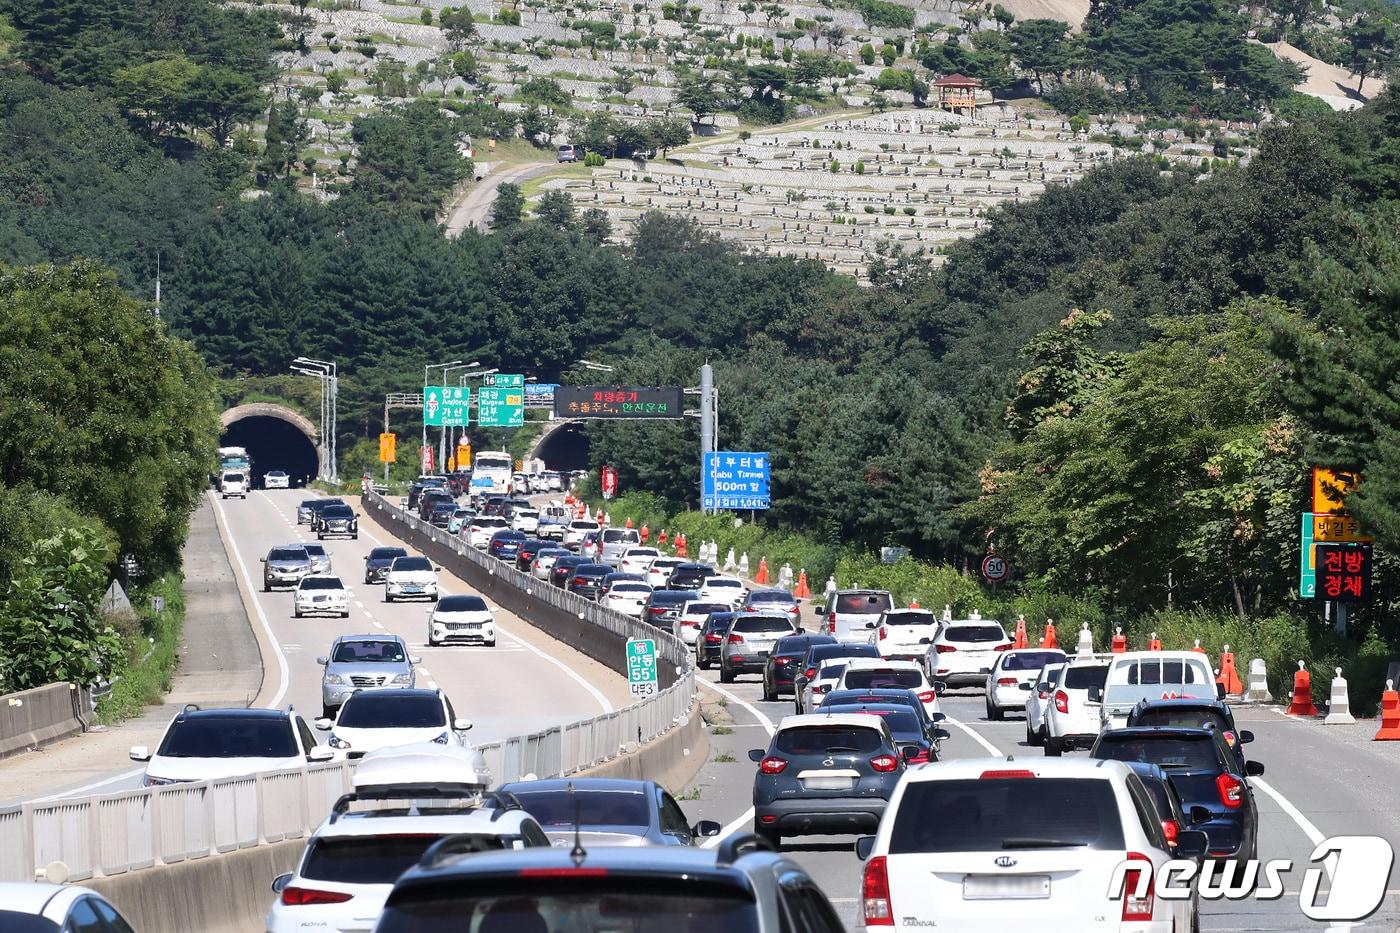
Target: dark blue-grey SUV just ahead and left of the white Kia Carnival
825, 774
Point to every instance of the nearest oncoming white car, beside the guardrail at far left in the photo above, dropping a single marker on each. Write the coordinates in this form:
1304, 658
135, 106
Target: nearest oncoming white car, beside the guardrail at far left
202, 745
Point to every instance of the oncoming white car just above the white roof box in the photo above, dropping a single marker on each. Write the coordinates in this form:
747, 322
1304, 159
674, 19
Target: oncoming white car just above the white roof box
386, 717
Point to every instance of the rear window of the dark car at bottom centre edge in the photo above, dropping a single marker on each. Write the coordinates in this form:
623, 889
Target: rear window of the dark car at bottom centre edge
612, 904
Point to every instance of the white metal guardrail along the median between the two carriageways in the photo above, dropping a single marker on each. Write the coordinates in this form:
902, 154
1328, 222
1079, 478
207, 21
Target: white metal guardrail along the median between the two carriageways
111, 834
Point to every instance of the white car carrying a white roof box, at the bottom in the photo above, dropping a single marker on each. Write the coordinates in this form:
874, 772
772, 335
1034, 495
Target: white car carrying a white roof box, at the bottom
380, 831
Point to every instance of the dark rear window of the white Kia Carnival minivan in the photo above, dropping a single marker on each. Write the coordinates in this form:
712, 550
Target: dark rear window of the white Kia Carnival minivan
1007, 815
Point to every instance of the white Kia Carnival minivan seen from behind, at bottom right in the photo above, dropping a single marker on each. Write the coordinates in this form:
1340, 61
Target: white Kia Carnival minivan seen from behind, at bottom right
985, 844
